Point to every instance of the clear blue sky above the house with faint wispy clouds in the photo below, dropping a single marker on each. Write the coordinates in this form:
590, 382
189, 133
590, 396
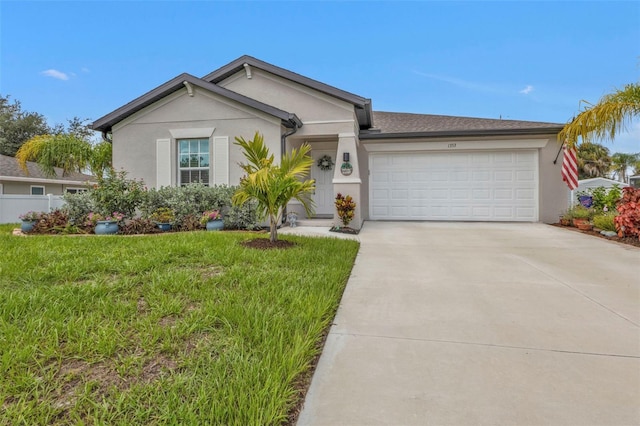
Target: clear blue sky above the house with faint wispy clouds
516, 60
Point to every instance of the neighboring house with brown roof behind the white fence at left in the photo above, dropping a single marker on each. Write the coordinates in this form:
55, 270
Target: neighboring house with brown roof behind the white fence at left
15, 181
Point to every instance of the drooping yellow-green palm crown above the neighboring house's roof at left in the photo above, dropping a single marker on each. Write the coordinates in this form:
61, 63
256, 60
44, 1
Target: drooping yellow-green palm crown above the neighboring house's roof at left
69, 152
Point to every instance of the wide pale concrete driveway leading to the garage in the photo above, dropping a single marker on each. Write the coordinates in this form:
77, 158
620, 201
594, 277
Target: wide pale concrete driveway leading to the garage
483, 323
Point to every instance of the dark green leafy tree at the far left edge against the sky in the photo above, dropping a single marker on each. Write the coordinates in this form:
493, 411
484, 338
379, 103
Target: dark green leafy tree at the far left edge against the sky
18, 126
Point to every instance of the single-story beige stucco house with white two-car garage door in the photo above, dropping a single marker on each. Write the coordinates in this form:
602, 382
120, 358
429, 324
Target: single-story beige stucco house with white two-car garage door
402, 166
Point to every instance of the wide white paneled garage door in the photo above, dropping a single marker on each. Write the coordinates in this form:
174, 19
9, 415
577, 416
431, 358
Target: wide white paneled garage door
466, 186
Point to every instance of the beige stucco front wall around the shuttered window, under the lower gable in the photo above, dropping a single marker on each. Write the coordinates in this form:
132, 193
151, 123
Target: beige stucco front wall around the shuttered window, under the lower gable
135, 139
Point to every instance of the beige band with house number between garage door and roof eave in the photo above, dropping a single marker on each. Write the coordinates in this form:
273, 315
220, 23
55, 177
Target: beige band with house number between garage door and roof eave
453, 145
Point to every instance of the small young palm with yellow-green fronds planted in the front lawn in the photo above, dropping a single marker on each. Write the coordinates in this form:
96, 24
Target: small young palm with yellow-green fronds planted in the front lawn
272, 186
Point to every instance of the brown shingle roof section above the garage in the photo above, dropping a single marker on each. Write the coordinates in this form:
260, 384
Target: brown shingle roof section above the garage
400, 122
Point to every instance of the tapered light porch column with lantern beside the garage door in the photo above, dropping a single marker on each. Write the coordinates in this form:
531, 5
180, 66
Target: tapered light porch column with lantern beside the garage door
348, 184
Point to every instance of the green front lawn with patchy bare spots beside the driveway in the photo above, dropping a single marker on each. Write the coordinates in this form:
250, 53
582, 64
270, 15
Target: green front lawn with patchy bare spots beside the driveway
181, 328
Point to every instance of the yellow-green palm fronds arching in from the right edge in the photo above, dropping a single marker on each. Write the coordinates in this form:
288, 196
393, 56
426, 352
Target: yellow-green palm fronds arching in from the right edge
605, 119
